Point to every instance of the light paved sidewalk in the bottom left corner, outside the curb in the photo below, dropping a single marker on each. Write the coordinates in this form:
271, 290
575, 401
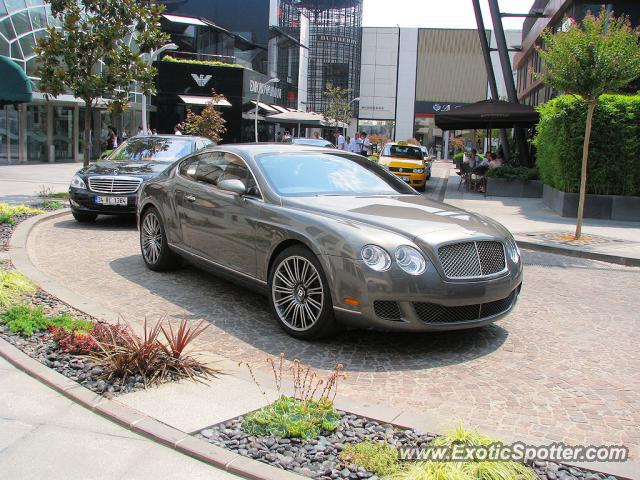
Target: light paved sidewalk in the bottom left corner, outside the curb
46, 435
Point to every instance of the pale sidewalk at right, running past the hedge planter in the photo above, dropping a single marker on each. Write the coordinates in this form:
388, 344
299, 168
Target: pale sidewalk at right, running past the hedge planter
531, 221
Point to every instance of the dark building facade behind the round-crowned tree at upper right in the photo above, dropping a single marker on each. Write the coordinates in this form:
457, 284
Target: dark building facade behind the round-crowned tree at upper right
532, 91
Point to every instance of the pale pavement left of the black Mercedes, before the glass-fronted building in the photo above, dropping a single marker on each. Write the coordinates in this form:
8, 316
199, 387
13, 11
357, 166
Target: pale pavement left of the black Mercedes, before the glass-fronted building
19, 183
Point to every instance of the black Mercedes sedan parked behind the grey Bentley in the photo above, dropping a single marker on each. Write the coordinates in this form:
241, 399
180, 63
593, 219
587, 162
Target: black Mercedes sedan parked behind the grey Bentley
110, 186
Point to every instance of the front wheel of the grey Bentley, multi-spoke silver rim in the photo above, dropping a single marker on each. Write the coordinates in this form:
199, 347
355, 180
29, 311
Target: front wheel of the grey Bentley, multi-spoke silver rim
300, 296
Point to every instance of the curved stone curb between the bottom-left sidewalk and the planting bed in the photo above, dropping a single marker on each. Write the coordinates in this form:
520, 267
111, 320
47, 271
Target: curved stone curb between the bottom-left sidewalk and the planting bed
142, 424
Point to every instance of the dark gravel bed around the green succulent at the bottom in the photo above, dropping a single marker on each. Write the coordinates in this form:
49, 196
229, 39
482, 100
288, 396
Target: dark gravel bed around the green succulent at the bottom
318, 458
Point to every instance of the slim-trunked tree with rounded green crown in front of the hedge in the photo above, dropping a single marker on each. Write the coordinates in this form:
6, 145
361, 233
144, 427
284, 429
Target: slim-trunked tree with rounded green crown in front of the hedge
600, 56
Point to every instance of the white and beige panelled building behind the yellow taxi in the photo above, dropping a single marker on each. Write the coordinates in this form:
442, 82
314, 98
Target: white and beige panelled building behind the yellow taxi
410, 74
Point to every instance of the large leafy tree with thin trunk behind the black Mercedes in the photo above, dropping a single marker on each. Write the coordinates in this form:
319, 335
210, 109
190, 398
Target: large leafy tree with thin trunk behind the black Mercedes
96, 53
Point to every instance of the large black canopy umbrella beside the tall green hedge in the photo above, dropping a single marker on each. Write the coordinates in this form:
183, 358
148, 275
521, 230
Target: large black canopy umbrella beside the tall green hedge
488, 114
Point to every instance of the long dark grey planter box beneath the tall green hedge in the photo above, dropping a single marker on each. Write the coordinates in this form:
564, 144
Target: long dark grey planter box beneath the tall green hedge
606, 207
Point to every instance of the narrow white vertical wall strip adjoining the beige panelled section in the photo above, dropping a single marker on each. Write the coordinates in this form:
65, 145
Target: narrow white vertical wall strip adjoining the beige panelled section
406, 97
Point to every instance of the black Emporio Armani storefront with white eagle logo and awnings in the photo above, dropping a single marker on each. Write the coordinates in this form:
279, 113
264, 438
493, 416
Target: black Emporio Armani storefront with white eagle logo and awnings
187, 85
